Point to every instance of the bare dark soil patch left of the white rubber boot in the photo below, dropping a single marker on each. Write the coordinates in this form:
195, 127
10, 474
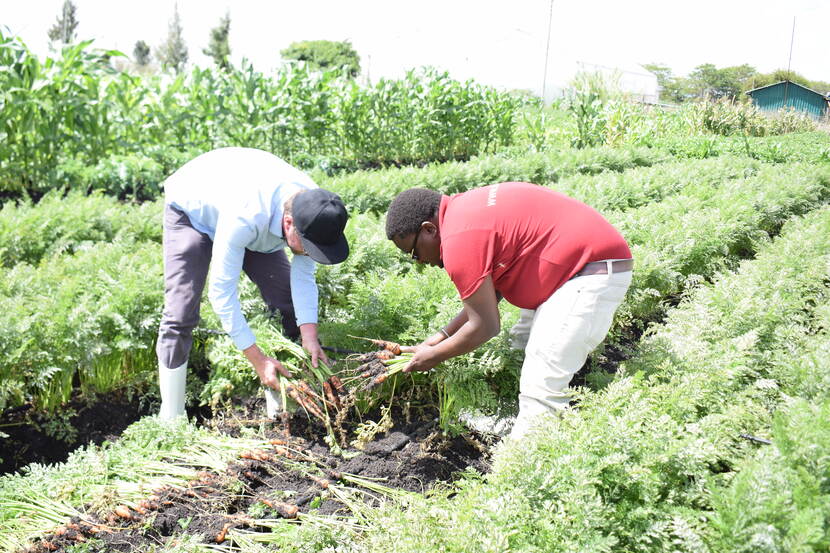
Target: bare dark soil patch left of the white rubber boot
35, 437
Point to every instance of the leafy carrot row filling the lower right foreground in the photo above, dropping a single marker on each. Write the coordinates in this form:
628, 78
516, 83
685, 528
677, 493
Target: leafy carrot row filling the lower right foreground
713, 438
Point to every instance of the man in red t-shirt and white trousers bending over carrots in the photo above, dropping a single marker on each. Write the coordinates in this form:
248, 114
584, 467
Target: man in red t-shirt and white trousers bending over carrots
555, 257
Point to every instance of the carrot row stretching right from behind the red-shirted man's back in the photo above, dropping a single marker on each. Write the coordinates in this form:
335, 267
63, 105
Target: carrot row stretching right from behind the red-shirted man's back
690, 236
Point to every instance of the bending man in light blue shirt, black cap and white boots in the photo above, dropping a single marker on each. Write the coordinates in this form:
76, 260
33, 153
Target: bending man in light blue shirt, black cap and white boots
237, 208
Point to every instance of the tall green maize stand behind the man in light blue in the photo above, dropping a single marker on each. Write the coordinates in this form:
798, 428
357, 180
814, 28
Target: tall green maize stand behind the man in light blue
74, 111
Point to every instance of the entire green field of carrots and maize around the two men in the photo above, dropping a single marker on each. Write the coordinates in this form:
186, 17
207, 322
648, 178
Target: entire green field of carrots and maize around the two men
702, 424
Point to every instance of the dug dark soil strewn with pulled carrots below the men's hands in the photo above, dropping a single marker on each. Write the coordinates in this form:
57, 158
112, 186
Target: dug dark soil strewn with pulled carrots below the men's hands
296, 475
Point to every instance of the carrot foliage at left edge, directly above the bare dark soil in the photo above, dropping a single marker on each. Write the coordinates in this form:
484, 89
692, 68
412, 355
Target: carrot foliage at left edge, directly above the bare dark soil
92, 316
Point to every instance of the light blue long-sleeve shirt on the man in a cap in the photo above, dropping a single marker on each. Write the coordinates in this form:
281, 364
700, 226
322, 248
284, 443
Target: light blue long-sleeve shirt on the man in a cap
236, 196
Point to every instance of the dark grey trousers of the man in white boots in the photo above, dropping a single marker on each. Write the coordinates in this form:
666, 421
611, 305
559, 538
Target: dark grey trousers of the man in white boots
187, 254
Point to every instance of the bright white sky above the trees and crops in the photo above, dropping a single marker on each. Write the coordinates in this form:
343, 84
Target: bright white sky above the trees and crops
526, 44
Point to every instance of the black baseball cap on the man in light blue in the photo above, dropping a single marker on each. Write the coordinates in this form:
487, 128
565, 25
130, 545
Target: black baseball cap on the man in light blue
320, 218
